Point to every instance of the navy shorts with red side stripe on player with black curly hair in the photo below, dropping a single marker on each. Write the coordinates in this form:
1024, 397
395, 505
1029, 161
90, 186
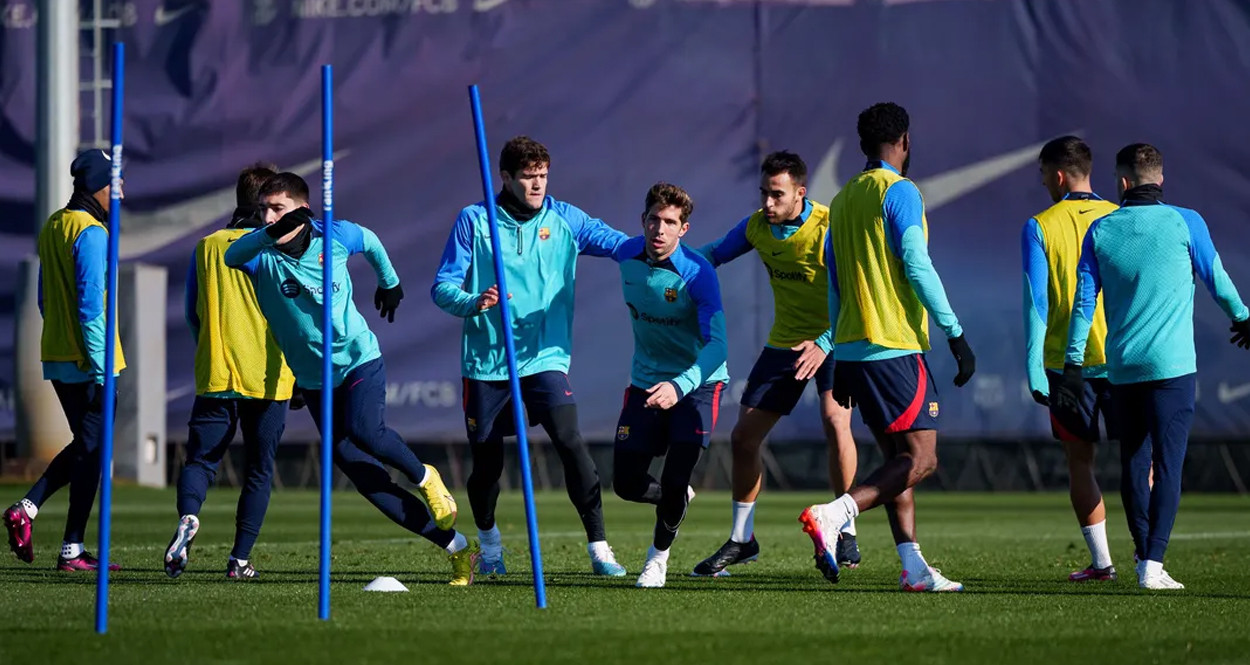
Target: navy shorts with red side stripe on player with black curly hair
892, 396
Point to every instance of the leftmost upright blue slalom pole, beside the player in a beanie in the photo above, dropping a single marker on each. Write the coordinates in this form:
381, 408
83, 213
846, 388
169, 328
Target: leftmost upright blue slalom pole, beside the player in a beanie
111, 343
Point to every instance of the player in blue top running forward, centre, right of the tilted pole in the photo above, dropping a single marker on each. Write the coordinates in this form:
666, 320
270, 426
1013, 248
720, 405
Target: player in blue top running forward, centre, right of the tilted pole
679, 368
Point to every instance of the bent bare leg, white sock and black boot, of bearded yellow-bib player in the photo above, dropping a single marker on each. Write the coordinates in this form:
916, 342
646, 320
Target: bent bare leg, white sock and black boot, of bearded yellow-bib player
748, 474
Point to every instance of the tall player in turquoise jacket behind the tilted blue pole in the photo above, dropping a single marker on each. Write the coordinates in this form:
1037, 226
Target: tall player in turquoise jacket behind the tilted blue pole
542, 239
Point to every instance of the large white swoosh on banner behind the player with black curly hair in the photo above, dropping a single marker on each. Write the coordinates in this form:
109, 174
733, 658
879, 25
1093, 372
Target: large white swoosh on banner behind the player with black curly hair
938, 189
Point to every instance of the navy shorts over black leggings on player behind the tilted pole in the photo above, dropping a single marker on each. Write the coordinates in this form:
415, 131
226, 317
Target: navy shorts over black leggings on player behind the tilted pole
488, 404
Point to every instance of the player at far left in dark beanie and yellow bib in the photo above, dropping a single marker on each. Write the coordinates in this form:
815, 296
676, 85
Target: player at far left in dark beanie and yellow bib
73, 263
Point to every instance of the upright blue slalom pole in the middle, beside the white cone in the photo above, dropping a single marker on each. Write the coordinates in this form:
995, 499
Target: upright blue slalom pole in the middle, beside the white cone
327, 333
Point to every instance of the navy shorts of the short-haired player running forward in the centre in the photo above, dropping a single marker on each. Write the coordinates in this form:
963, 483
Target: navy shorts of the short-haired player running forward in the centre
688, 423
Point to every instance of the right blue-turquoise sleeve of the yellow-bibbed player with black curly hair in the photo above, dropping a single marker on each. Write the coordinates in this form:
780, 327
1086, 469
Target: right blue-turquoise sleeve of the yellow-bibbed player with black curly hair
903, 212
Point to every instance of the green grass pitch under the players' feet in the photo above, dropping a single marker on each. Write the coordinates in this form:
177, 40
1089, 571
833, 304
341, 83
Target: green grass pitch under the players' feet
1013, 552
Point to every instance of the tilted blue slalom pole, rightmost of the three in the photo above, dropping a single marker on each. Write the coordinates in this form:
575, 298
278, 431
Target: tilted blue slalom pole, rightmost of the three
506, 313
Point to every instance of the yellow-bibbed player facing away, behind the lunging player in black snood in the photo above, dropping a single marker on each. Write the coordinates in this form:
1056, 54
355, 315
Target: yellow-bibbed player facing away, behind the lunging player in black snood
242, 382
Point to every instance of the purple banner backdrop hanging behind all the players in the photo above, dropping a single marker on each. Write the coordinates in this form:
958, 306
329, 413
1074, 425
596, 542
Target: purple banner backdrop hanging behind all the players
631, 92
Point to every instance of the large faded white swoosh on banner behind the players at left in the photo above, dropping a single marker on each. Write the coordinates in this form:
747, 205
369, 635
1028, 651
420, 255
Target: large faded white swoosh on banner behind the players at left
149, 232
